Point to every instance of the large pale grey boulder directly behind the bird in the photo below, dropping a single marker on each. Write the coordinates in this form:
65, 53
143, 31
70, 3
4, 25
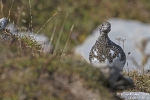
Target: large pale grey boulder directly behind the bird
134, 34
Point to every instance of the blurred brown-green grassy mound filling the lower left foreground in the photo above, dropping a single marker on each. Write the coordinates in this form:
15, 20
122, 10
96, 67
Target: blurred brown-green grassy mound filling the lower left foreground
26, 75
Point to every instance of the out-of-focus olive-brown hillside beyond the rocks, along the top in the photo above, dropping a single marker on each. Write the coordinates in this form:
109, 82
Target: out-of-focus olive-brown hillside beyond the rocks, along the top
85, 15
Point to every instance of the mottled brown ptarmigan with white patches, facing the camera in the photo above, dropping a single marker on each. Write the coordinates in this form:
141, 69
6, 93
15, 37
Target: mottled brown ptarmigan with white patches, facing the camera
106, 51
